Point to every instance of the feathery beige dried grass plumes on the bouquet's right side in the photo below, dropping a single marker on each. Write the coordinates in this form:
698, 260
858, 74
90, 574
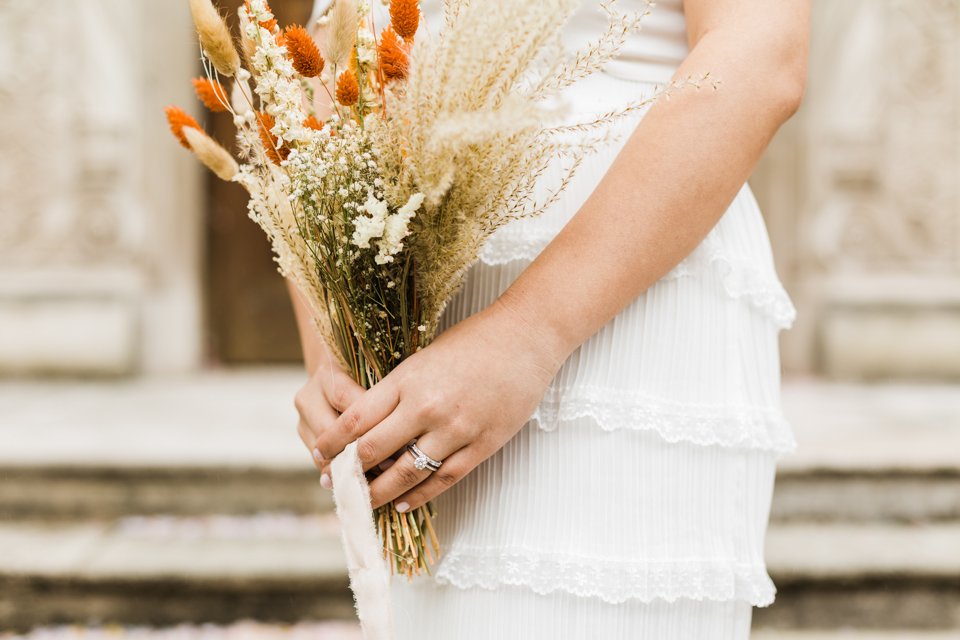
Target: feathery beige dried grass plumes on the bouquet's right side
484, 137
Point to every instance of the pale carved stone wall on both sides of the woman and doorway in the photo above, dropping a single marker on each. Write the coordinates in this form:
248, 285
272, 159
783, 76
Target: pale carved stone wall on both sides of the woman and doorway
100, 213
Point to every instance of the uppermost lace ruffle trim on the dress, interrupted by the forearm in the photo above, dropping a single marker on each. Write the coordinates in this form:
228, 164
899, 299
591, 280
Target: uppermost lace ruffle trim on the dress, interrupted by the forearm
741, 279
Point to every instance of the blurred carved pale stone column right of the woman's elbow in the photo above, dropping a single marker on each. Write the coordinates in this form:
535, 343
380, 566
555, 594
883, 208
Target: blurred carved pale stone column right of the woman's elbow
862, 193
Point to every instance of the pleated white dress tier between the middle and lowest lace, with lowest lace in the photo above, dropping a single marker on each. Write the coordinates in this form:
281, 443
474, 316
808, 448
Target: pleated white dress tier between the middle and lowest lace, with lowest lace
615, 515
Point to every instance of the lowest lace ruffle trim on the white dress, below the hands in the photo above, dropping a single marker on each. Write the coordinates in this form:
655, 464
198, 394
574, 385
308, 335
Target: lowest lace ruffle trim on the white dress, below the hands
613, 581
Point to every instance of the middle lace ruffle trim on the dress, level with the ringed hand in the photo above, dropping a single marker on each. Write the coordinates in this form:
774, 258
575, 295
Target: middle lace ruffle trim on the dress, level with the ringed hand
728, 426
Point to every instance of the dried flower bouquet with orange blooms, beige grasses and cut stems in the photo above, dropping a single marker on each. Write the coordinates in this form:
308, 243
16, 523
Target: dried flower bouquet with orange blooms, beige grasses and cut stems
431, 145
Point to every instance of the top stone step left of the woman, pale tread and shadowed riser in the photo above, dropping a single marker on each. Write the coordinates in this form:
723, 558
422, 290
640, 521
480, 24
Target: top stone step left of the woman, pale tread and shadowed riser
215, 442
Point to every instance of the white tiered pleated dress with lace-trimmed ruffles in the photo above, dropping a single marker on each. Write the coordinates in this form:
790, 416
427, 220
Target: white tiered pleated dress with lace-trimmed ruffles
634, 503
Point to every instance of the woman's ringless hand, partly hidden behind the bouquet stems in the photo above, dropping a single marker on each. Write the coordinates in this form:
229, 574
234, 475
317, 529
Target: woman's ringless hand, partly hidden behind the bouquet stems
328, 392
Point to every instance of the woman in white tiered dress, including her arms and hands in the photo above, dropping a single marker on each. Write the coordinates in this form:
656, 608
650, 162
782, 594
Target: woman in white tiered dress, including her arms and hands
603, 407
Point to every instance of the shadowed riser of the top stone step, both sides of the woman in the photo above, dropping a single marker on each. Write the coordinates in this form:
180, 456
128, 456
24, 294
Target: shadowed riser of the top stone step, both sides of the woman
59, 492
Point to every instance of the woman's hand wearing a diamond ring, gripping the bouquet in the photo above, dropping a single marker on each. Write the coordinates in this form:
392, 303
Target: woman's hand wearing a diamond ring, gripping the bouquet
462, 398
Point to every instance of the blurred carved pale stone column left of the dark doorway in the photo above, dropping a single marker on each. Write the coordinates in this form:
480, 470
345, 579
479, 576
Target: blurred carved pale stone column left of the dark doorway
99, 211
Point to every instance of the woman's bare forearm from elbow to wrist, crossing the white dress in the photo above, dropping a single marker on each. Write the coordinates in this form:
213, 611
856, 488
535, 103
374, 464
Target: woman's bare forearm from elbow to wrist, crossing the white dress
676, 175
